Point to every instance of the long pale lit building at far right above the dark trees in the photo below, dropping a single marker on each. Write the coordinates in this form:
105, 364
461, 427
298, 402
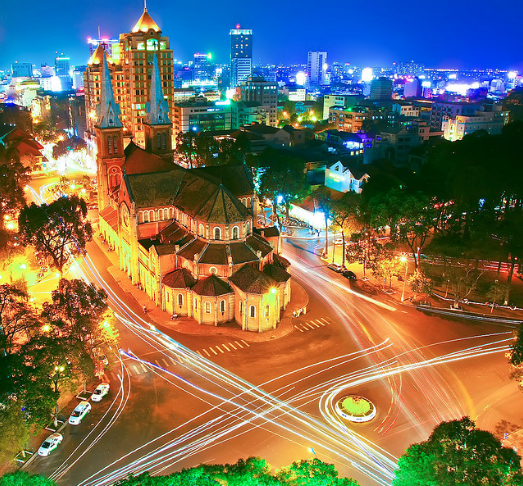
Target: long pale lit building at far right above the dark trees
457, 127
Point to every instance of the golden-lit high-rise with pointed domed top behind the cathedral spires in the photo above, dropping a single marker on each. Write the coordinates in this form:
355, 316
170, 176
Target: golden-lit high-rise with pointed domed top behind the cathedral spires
131, 69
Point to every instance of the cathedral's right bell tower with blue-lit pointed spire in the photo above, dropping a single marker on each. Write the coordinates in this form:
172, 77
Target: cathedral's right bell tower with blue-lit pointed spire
158, 126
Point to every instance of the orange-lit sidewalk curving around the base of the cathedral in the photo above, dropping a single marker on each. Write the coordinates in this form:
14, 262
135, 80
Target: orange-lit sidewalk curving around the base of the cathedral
188, 325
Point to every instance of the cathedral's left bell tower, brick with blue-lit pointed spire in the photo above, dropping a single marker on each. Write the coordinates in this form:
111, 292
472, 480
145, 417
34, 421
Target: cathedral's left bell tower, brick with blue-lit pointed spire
109, 141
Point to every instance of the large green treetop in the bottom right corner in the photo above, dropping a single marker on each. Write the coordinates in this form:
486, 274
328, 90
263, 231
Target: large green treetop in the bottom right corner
459, 453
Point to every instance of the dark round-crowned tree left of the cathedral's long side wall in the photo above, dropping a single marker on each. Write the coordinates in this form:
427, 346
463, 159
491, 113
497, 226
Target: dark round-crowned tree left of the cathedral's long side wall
58, 230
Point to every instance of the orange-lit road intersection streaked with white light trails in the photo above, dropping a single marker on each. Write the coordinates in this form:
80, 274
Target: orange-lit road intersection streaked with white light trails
177, 402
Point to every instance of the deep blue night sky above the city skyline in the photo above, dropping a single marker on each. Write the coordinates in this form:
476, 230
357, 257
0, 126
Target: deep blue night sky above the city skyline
448, 33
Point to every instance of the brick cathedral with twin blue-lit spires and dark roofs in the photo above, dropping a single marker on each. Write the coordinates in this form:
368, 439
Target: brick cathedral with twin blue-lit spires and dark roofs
186, 237
